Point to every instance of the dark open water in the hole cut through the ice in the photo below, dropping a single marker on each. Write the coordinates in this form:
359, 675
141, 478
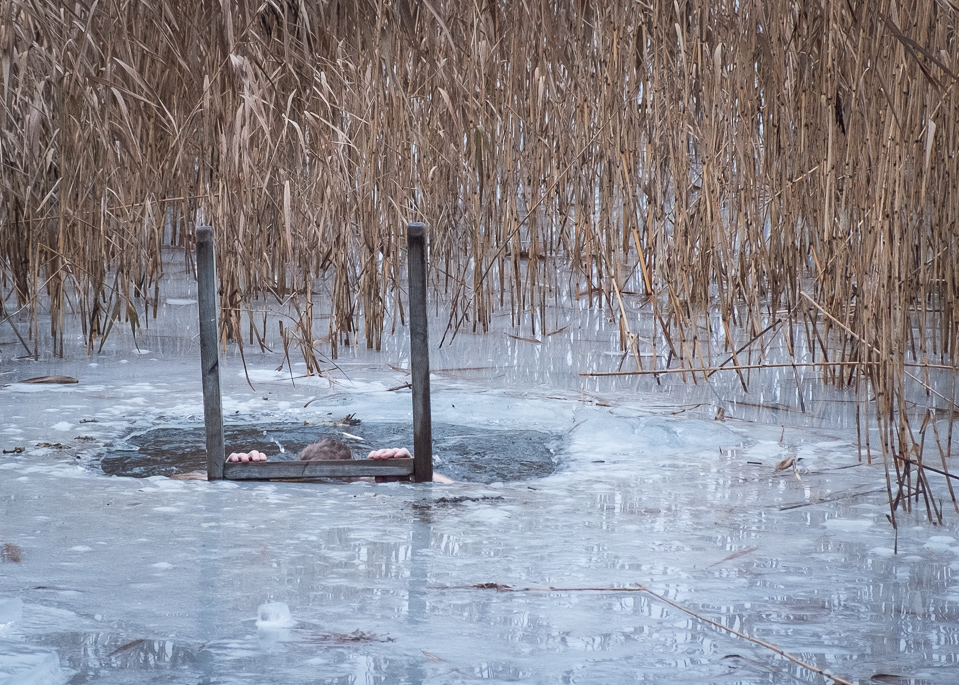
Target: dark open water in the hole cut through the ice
460, 452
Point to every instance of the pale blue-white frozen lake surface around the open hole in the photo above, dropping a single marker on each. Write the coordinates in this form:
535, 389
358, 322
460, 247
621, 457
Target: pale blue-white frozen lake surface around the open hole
151, 580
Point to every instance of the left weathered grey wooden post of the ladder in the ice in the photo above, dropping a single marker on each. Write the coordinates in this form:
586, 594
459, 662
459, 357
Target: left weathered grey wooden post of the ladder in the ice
209, 358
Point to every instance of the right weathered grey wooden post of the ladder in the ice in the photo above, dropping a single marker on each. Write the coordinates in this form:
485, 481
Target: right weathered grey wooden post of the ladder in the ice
419, 355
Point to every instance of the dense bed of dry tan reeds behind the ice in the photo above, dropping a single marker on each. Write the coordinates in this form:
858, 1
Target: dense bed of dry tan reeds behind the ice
722, 168
